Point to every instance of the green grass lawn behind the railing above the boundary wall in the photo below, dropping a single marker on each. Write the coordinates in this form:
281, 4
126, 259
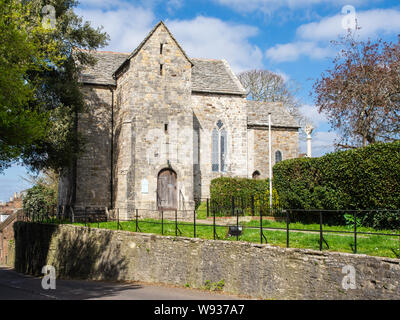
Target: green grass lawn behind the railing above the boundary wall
375, 245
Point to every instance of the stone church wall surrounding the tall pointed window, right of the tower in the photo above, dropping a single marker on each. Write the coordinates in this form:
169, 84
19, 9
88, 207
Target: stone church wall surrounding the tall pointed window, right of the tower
208, 109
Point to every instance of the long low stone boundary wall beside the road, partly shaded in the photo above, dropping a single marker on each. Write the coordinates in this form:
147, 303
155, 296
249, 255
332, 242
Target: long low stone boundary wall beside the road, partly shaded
259, 271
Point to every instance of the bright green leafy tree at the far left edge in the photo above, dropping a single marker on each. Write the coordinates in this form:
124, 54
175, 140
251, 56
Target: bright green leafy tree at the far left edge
20, 51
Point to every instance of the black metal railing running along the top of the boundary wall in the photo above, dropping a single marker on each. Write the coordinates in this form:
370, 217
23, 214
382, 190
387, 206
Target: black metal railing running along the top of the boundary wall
316, 222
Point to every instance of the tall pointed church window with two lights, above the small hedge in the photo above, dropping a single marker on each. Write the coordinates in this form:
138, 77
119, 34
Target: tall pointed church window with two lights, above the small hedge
219, 148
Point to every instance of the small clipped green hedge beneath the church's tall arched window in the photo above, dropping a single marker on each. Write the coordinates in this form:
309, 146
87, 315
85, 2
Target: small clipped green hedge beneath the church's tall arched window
223, 189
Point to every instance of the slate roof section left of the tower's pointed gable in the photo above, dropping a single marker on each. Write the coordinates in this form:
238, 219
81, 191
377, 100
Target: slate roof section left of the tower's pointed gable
101, 73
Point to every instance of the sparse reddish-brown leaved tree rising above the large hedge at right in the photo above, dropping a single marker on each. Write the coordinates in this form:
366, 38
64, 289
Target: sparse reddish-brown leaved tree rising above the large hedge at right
360, 95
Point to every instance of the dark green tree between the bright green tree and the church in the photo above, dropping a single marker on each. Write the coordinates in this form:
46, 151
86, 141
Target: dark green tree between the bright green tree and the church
60, 89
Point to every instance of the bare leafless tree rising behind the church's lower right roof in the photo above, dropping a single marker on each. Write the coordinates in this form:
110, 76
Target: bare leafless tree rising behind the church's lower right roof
266, 86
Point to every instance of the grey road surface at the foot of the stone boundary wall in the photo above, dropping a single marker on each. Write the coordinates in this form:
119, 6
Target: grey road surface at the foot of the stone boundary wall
15, 286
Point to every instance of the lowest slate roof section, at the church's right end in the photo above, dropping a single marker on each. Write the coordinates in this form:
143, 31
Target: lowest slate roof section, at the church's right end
257, 113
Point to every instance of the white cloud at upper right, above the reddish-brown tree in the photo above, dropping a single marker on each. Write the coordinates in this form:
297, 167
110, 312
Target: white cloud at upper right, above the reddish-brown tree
313, 39
